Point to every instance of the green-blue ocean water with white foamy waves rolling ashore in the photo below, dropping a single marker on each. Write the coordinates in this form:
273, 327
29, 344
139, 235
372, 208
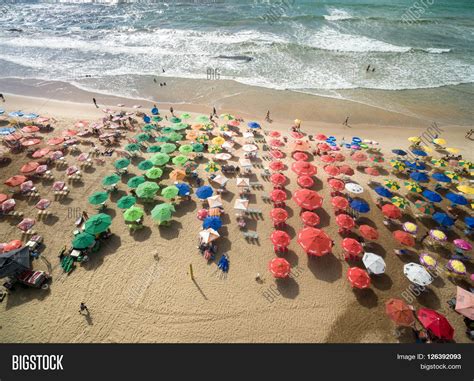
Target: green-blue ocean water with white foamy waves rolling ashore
320, 47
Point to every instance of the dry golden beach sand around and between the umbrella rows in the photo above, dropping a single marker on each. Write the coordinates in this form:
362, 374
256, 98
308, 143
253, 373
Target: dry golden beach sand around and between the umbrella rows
138, 288
